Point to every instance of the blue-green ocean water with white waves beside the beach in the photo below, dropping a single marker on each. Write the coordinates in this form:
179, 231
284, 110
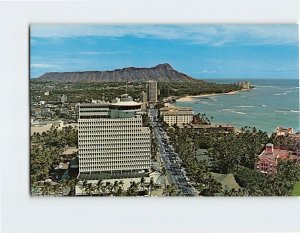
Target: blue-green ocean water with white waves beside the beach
270, 104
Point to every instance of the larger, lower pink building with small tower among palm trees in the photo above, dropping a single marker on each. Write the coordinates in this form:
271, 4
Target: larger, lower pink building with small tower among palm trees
268, 160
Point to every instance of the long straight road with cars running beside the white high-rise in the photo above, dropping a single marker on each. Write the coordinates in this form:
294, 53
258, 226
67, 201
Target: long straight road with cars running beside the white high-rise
171, 161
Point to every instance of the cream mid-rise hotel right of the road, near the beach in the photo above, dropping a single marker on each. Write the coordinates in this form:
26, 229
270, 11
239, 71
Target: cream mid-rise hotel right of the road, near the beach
175, 115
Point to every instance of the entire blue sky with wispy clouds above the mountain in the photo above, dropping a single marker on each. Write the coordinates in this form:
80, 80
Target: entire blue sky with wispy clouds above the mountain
267, 51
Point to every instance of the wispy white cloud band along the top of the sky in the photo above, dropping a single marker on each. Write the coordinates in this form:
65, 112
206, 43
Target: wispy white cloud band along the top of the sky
203, 34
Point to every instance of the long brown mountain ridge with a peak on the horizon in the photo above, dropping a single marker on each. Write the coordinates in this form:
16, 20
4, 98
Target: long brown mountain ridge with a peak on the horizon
161, 73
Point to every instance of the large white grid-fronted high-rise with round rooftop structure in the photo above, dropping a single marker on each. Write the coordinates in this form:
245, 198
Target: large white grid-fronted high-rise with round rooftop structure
112, 140
